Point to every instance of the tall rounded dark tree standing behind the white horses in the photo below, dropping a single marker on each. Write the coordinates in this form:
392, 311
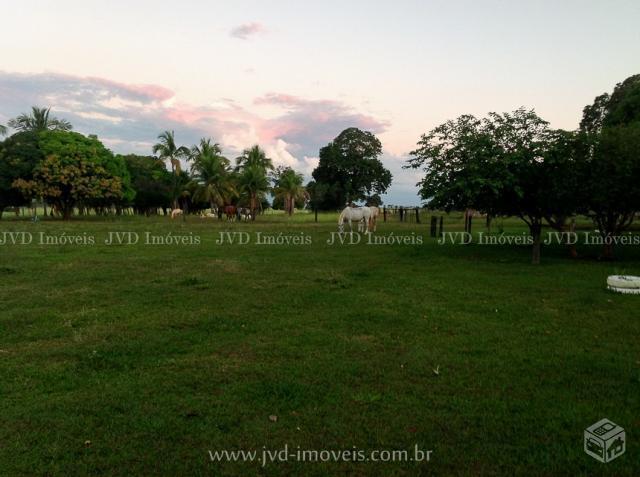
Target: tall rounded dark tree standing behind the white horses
350, 170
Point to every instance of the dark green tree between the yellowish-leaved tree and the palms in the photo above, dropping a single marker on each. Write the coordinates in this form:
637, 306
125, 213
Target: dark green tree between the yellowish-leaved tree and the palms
152, 182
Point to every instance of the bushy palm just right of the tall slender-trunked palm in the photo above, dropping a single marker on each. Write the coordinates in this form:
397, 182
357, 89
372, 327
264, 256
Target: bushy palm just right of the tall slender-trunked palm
212, 174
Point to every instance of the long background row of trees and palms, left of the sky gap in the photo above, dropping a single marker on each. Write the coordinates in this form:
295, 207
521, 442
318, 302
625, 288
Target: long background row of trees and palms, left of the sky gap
45, 160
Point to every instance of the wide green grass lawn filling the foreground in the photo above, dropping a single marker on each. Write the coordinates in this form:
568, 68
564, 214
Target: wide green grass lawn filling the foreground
138, 360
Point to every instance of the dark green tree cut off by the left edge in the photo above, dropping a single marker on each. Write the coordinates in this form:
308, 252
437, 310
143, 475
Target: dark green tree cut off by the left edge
19, 155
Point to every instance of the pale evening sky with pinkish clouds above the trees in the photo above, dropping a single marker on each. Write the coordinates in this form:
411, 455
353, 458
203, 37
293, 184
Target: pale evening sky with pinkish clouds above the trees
291, 75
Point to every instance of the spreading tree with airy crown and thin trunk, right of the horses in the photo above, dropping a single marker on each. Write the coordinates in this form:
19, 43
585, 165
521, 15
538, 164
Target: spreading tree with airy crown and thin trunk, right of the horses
495, 165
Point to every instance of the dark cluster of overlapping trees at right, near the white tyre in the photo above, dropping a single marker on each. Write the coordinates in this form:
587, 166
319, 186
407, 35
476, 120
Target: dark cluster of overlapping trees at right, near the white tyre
514, 164
